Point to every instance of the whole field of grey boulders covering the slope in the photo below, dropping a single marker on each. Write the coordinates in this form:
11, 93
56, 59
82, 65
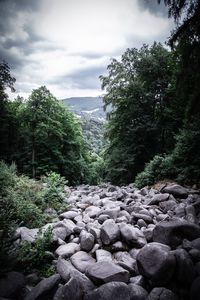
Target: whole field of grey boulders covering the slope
119, 243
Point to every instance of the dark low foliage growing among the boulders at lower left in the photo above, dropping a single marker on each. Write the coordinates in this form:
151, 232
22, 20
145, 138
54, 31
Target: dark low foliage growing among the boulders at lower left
35, 256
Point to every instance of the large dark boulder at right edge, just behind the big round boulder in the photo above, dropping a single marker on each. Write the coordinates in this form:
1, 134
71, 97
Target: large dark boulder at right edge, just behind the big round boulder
172, 233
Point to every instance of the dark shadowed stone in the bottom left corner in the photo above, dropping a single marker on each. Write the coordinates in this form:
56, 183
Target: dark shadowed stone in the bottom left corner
11, 284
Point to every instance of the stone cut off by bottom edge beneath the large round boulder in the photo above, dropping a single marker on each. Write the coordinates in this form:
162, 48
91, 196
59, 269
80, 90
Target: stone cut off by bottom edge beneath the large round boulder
161, 293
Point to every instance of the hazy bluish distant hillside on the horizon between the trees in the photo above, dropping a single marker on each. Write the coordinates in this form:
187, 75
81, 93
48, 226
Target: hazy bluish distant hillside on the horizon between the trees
88, 106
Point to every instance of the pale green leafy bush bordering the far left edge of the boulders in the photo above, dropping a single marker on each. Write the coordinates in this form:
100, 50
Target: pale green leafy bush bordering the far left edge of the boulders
53, 191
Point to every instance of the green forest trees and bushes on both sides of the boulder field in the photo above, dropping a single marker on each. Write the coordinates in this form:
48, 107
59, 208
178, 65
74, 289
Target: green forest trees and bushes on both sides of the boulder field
151, 135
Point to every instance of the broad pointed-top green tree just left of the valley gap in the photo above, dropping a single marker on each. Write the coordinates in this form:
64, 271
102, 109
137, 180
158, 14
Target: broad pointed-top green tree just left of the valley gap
51, 139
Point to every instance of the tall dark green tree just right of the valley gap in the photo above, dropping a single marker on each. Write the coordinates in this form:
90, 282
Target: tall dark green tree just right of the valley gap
140, 89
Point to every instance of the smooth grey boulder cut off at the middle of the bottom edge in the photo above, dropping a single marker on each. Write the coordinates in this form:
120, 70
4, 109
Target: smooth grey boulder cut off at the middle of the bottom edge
110, 291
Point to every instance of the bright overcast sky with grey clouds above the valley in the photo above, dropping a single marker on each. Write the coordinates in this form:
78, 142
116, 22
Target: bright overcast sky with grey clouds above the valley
67, 44
